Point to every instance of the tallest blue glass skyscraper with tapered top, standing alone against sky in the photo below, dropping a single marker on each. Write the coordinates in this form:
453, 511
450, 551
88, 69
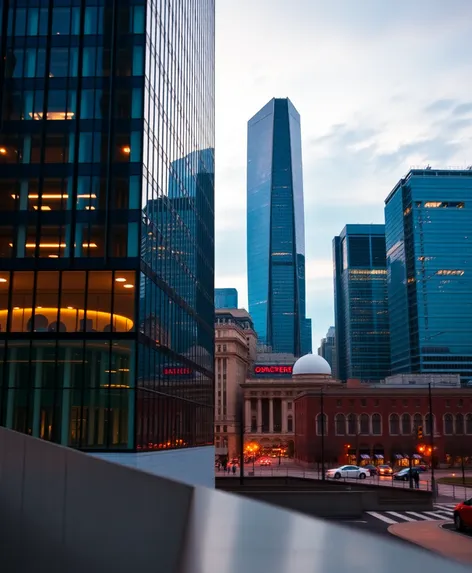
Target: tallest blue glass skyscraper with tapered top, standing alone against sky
276, 229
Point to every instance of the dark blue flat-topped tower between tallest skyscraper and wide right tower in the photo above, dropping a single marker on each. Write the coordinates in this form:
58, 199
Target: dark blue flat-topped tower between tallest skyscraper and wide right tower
360, 303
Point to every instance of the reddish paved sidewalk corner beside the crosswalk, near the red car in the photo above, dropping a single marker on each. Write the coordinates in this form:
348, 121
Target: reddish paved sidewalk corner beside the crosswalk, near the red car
431, 536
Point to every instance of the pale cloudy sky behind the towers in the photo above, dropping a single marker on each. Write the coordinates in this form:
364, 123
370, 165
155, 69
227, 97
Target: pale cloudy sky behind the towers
381, 87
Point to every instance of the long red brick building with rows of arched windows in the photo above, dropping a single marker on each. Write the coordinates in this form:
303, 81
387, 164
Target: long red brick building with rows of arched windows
379, 423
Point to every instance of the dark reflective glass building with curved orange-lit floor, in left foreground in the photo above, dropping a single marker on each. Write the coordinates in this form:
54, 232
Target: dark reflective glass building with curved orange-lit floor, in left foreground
107, 222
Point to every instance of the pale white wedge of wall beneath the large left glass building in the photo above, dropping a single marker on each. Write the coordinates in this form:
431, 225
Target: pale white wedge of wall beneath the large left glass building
194, 466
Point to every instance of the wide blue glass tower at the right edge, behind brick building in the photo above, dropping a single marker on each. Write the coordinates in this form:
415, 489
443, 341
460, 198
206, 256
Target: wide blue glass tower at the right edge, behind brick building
428, 221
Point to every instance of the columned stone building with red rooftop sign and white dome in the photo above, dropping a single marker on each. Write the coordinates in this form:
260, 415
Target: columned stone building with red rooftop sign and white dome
269, 395
